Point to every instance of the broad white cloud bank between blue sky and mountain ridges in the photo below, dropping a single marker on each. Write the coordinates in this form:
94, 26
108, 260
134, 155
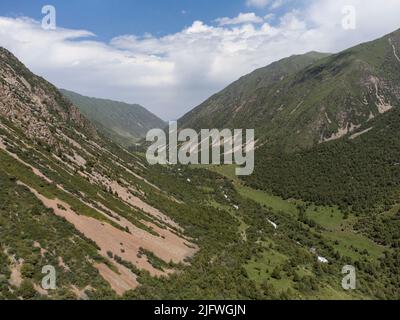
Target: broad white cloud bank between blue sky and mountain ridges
171, 74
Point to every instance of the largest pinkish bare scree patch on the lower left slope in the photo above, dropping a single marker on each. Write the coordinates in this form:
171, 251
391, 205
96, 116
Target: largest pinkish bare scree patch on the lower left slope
168, 247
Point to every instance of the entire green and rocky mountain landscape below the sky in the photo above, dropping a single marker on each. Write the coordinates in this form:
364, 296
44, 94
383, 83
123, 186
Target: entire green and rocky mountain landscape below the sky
324, 193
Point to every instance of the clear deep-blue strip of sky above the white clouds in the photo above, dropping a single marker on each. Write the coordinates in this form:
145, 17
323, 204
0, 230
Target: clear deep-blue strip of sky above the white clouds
108, 19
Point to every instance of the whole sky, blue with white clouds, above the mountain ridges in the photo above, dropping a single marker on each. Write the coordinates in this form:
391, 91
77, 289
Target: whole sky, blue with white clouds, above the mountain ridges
171, 55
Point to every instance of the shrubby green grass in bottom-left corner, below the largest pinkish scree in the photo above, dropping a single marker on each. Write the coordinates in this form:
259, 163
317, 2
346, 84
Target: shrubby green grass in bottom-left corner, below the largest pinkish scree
24, 220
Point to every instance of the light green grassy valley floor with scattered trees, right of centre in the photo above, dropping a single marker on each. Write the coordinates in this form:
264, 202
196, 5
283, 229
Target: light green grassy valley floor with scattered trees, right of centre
333, 228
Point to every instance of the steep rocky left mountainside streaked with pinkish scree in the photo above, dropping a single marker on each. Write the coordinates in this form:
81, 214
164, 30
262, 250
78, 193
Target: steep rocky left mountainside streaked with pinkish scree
104, 229
